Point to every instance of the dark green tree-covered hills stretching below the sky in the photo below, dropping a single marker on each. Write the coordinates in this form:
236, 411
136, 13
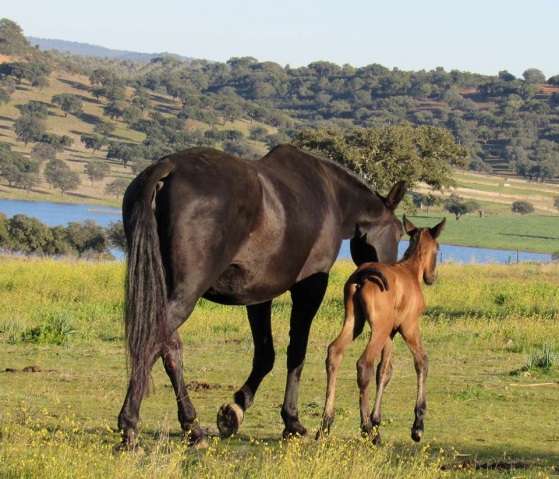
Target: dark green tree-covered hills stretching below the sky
504, 121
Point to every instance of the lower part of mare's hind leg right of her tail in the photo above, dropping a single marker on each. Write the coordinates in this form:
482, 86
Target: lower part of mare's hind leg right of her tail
173, 363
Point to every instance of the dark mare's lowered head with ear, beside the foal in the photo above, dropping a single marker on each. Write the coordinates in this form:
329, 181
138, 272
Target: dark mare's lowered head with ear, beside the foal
377, 240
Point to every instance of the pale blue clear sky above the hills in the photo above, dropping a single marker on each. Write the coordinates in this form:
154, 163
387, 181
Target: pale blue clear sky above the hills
480, 36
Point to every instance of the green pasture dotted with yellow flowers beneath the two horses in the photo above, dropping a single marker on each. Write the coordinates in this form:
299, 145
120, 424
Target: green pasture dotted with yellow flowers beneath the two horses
491, 333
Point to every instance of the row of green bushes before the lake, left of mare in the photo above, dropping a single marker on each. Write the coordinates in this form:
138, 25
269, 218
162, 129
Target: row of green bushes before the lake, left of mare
27, 235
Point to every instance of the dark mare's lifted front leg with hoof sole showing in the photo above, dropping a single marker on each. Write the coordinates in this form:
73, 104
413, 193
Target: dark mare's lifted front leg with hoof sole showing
230, 416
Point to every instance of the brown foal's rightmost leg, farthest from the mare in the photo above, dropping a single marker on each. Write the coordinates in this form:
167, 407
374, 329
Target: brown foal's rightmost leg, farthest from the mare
412, 336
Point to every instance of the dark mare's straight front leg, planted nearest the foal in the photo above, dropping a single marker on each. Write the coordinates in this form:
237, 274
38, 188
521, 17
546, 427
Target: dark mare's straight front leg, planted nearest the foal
306, 296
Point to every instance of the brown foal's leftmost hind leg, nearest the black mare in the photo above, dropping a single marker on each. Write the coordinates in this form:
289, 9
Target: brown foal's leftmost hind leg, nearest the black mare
353, 326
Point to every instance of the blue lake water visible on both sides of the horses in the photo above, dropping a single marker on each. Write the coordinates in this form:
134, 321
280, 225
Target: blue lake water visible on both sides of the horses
54, 214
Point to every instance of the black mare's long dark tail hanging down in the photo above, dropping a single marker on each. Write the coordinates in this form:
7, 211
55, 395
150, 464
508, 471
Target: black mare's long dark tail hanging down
146, 289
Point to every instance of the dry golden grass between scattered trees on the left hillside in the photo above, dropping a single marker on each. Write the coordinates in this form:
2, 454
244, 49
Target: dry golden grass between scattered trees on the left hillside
74, 126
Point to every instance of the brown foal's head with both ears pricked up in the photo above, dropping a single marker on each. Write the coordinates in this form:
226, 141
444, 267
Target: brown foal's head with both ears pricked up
424, 247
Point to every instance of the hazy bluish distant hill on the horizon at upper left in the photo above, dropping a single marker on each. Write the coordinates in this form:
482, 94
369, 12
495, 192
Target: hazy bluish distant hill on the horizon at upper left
85, 49
